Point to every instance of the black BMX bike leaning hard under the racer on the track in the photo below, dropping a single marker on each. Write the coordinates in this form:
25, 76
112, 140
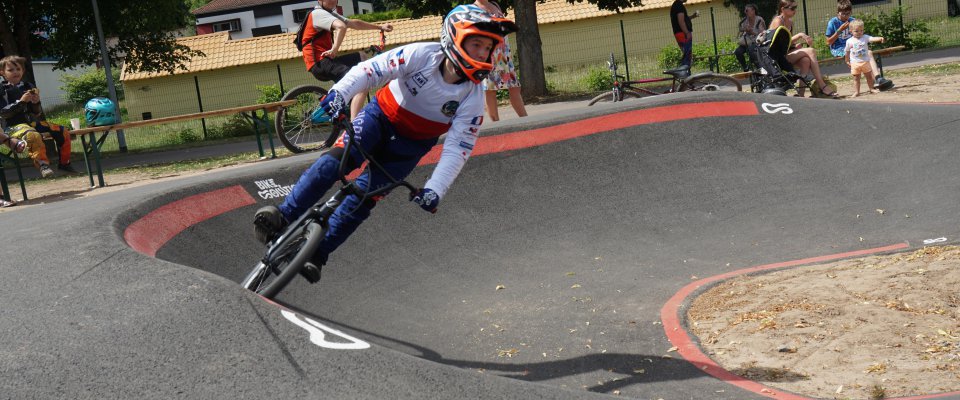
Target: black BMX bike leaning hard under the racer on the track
287, 254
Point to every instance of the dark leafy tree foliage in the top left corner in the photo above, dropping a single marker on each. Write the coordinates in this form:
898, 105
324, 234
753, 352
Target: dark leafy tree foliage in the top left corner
140, 32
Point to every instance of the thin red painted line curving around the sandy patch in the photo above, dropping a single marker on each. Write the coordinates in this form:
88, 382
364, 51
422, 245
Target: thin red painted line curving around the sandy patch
690, 351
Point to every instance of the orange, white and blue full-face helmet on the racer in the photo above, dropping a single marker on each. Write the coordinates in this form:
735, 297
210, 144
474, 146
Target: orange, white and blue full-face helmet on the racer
465, 21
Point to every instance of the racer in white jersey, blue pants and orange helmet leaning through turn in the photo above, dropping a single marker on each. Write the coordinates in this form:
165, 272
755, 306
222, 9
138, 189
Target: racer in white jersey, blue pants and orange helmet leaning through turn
431, 89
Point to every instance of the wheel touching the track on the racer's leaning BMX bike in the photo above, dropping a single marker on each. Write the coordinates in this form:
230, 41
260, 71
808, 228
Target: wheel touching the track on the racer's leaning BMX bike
269, 277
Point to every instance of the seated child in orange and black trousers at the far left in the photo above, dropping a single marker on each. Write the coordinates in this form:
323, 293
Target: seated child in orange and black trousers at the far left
20, 102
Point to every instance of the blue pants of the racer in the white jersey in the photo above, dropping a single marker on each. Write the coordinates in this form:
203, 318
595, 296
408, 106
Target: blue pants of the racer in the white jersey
376, 135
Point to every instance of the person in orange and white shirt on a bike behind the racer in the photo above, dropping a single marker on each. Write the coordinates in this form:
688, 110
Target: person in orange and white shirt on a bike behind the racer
323, 34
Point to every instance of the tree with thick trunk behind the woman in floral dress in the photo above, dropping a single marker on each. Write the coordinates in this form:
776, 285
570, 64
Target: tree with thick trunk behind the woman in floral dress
529, 46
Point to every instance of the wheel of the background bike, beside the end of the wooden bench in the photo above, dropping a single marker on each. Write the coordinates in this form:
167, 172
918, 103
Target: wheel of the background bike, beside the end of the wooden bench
294, 127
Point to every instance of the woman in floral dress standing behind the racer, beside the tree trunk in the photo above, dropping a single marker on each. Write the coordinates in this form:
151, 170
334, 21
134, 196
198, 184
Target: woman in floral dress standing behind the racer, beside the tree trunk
504, 75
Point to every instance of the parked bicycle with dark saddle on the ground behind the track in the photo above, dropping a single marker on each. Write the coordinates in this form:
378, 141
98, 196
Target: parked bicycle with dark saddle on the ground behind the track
680, 81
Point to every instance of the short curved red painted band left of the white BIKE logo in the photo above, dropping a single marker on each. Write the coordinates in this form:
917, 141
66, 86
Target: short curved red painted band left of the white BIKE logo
155, 229
